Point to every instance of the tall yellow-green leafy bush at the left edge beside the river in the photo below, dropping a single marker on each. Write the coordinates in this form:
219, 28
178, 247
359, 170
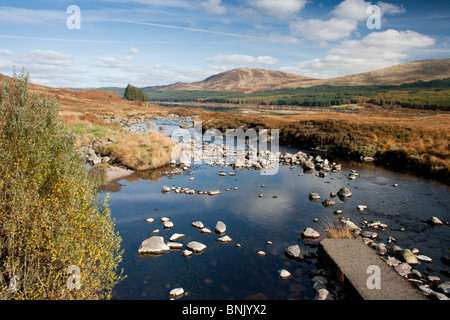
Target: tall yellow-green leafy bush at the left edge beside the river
57, 239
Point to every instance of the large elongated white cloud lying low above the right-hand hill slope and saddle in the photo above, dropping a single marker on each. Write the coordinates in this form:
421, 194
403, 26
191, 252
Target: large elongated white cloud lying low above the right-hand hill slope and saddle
375, 51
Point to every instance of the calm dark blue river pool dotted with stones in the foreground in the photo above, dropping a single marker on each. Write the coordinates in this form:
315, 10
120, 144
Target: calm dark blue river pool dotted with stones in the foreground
225, 271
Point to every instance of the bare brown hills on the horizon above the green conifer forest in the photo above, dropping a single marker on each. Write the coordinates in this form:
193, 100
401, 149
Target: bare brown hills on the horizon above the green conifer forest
254, 79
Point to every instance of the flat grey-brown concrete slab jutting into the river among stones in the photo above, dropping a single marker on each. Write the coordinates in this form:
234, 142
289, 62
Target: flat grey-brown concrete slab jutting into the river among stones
363, 273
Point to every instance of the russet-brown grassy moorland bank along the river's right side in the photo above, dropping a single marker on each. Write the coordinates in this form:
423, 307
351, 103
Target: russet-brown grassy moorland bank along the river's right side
418, 144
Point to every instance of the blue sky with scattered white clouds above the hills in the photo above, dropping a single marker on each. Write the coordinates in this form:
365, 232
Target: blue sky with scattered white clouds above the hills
100, 43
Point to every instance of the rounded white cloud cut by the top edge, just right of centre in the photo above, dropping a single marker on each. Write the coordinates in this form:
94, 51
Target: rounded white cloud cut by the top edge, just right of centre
277, 8
